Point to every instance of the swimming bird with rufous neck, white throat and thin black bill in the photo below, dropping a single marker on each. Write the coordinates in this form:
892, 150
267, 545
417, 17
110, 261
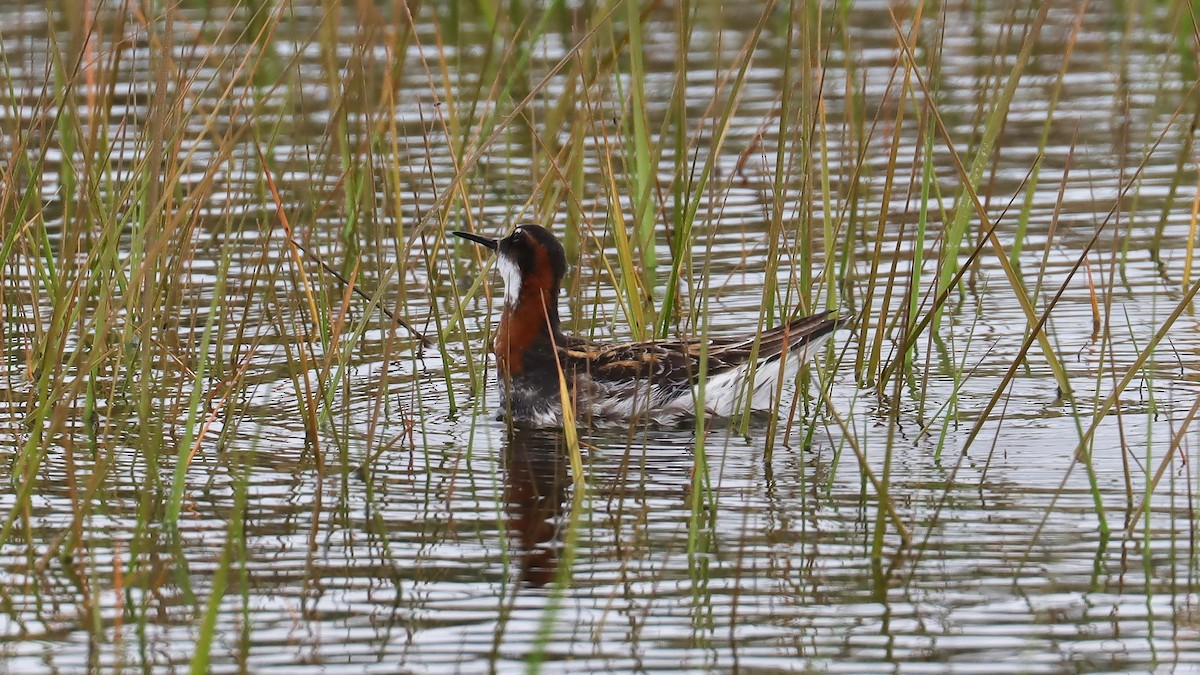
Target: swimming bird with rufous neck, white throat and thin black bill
616, 384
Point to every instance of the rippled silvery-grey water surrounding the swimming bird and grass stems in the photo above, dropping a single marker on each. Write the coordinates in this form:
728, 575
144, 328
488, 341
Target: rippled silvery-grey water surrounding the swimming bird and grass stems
413, 535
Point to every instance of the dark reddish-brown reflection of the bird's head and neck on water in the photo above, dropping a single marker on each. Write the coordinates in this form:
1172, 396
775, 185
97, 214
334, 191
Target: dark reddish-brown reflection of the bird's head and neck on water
536, 481
